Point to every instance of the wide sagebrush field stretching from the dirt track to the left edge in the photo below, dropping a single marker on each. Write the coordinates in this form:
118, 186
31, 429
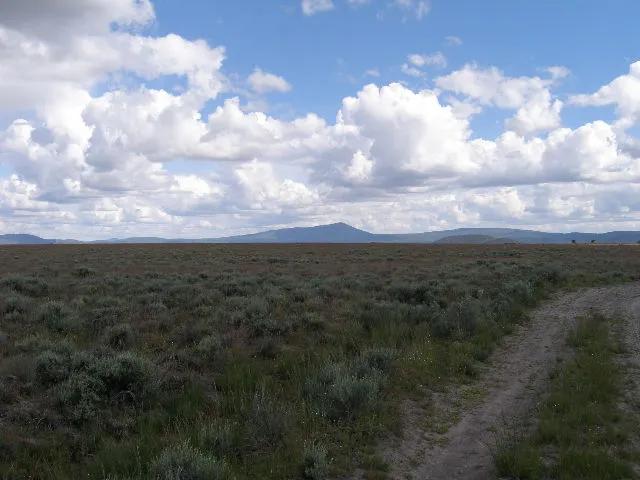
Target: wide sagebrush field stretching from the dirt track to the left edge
247, 361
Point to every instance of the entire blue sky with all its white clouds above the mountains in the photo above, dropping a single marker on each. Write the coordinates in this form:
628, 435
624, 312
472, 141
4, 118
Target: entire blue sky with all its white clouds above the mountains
206, 118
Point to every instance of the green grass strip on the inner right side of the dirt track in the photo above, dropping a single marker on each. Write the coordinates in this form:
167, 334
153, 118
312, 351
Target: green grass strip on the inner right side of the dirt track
581, 430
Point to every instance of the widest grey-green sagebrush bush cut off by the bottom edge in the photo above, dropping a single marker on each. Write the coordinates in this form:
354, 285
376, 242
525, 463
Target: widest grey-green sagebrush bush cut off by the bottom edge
183, 462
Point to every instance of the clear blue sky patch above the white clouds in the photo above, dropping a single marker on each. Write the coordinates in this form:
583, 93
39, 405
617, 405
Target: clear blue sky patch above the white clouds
326, 56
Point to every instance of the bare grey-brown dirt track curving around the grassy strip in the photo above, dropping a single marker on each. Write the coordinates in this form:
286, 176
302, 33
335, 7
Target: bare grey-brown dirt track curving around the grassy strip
516, 374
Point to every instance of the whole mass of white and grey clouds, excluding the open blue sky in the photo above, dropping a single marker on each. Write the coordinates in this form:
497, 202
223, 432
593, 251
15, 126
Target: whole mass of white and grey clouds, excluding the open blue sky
112, 131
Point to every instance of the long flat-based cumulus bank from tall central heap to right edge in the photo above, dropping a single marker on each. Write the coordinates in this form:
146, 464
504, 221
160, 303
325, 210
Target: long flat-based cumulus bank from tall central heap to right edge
395, 140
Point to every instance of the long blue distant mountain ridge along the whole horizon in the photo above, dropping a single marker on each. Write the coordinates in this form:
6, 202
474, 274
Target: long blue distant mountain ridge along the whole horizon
343, 233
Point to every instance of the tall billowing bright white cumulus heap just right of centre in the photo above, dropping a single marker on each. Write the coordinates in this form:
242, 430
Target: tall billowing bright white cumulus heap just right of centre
400, 132
